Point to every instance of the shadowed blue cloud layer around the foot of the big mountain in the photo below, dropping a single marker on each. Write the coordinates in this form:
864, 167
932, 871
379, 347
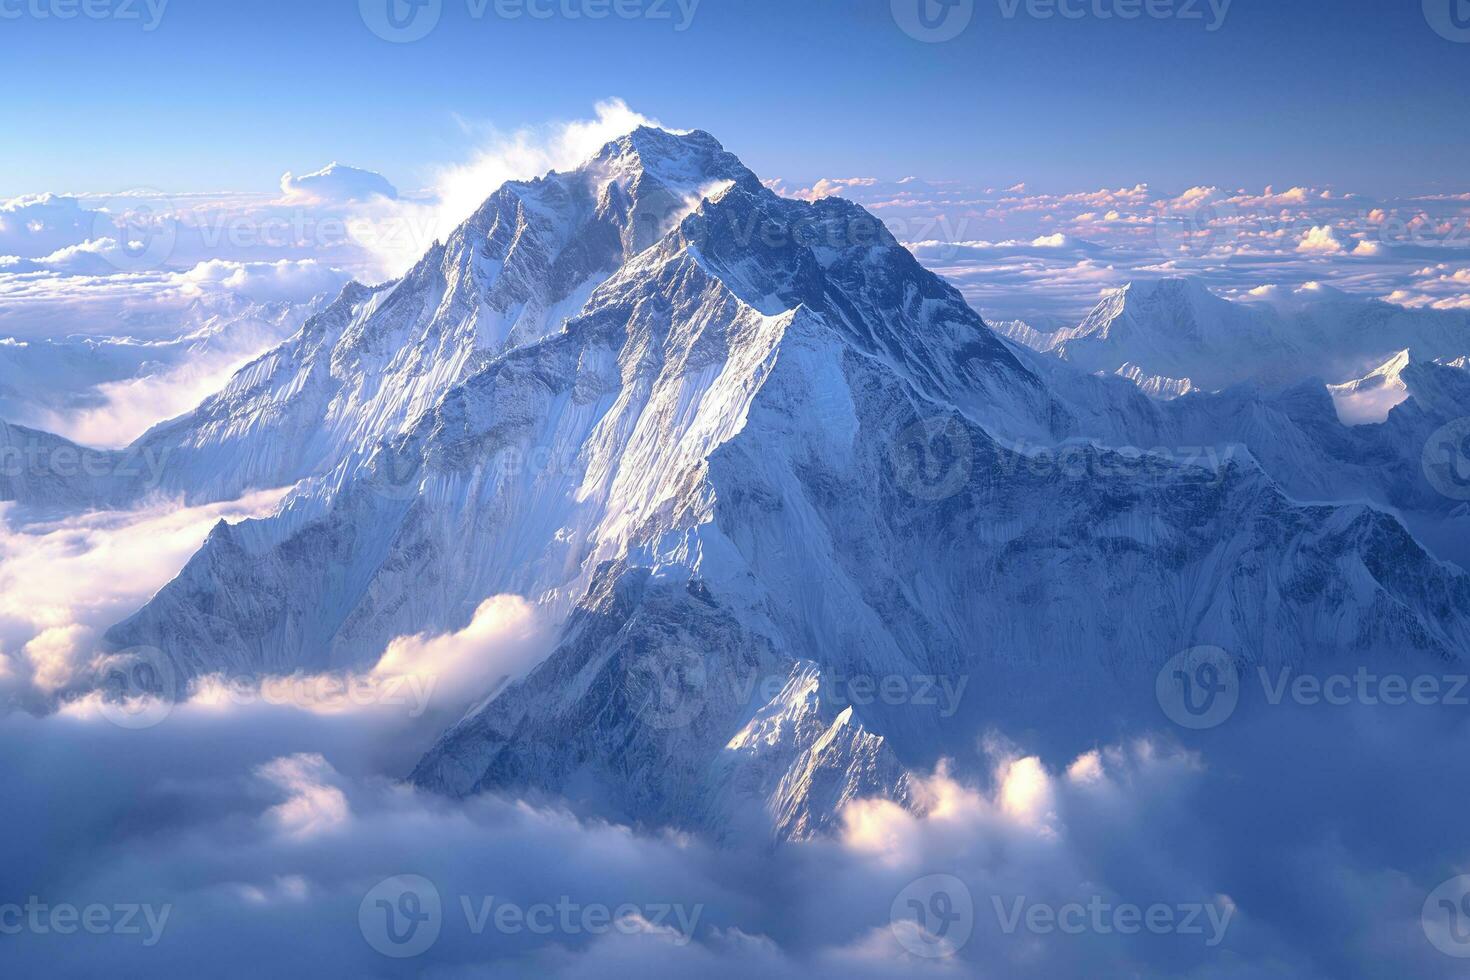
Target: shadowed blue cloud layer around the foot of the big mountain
267, 829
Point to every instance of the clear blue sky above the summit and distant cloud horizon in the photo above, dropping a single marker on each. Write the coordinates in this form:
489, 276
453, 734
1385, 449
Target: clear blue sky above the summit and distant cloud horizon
227, 96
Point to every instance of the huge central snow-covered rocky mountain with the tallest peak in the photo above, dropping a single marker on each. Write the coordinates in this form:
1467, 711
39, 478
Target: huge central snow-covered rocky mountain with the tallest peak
767, 464
